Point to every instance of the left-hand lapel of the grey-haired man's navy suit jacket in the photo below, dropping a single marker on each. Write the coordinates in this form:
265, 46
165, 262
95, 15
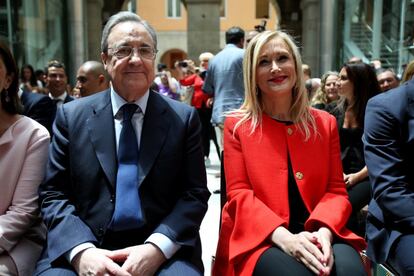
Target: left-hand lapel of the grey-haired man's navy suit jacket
102, 132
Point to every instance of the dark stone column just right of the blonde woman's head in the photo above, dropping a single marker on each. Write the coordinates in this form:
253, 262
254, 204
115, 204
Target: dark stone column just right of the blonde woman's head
311, 35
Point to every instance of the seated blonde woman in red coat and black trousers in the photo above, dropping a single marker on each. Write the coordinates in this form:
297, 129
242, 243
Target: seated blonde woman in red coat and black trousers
287, 205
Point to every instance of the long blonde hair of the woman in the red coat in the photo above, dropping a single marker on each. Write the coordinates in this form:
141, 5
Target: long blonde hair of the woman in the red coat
252, 108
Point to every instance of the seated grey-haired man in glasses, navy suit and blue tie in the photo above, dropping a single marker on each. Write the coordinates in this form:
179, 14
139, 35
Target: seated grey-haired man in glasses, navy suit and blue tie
80, 197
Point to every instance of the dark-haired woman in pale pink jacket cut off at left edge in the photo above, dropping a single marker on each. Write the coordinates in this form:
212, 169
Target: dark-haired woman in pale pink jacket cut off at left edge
23, 154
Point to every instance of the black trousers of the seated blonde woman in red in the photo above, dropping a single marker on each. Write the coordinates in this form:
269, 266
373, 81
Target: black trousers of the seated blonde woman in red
274, 261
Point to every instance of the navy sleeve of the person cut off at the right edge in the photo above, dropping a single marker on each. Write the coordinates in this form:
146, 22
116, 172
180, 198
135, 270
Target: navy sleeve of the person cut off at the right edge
387, 158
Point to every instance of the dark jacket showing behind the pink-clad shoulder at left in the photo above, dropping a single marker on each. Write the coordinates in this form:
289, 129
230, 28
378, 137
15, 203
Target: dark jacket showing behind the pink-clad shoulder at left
40, 108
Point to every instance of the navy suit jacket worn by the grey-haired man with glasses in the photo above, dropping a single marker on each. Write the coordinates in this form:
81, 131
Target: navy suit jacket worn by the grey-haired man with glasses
77, 196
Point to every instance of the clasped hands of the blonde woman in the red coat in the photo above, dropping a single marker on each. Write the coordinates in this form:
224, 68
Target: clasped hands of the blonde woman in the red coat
307, 248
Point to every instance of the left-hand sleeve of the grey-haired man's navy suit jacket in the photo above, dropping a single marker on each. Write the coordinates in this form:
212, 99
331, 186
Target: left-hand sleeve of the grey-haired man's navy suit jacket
65, 228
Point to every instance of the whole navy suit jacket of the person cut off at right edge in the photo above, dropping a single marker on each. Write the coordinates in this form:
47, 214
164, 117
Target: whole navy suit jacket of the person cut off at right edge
389, 155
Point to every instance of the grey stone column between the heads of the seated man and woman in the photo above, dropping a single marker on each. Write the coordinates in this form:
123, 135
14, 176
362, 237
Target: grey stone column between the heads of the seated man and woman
203, 27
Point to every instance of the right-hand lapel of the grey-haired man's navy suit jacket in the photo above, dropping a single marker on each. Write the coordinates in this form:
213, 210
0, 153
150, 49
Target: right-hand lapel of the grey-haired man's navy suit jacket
154, 133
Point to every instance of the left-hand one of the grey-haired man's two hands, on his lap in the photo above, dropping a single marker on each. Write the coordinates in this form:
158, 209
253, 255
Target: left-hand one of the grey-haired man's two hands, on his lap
95, 261
